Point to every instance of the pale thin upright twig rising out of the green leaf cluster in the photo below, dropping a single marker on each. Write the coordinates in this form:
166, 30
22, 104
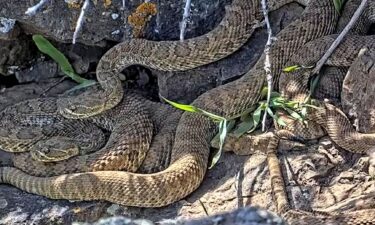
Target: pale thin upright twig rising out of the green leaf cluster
267, 61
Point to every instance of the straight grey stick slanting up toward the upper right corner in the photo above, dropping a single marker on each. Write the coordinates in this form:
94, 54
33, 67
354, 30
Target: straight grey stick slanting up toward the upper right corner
339, 39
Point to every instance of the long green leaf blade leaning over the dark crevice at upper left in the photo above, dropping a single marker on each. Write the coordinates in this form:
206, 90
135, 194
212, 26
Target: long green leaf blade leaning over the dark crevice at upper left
47, 48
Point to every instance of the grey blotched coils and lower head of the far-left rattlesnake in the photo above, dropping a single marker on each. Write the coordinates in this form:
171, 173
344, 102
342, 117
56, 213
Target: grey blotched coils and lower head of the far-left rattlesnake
29, 125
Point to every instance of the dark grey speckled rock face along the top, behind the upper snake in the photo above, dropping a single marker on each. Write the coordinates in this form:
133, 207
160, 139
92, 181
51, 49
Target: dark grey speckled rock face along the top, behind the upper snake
57, 19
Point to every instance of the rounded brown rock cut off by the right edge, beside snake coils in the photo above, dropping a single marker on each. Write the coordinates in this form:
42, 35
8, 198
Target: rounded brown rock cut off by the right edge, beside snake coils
359, 92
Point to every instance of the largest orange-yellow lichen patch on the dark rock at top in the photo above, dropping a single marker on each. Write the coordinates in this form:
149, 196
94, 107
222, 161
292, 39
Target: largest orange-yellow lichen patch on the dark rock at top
140, 17
